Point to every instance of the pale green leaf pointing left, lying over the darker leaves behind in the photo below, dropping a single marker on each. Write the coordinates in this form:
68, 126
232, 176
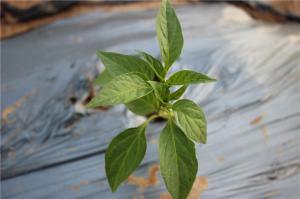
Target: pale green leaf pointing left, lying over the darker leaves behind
122, 89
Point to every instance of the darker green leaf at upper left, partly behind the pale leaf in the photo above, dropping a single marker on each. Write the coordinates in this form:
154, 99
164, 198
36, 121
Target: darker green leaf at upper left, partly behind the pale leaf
118, 64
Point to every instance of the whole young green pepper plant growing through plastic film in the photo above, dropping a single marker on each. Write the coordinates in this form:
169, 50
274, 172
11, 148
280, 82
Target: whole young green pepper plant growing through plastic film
141, 83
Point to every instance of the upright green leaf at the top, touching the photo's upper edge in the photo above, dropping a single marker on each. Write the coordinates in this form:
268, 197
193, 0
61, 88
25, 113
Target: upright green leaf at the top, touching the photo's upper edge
169, 34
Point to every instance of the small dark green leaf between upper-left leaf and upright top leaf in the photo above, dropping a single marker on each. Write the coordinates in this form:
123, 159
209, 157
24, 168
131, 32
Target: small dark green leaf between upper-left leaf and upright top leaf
155, 64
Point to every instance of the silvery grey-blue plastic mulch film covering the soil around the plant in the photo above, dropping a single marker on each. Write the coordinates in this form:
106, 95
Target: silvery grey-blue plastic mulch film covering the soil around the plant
52, 149
